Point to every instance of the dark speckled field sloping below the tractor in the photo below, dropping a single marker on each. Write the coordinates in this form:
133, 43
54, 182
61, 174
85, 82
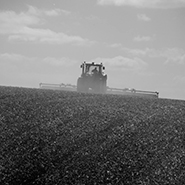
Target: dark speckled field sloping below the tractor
57, 137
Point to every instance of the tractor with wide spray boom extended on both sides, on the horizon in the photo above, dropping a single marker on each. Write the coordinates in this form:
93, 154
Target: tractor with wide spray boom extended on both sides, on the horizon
93, 80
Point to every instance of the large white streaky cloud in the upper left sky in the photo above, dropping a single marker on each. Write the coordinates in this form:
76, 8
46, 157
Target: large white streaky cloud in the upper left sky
19, 27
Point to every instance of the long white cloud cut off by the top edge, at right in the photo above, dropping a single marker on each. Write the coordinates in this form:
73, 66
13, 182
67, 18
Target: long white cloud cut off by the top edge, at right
161, 4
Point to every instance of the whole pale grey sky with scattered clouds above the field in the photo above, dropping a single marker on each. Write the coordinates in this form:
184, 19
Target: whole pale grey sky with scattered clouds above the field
140, 42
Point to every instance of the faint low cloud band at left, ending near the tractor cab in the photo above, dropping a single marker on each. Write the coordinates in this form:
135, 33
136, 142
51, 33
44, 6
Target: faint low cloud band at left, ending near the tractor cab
12, 64
